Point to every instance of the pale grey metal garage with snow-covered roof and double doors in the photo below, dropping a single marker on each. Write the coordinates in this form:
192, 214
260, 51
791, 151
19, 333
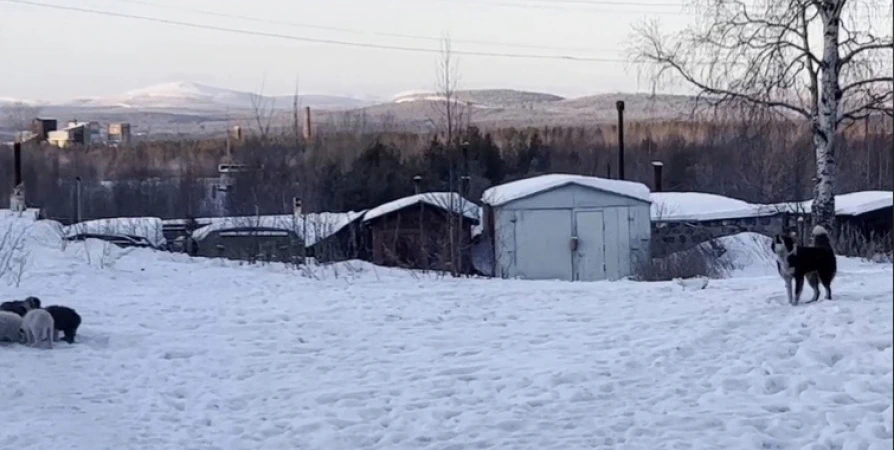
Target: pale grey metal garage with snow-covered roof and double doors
567, 227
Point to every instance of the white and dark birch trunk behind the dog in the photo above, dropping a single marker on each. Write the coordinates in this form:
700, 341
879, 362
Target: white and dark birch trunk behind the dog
825, 126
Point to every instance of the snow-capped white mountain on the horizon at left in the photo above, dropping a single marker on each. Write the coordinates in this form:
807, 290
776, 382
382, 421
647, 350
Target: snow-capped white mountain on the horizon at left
196, 96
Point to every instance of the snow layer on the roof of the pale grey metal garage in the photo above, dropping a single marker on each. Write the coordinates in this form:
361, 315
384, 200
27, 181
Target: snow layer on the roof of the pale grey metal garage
505, 193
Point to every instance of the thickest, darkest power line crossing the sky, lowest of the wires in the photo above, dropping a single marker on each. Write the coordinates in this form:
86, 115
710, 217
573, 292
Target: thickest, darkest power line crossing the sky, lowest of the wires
313, 39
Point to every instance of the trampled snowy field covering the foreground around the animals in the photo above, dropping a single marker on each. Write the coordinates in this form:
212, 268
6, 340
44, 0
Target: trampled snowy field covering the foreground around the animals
180, 353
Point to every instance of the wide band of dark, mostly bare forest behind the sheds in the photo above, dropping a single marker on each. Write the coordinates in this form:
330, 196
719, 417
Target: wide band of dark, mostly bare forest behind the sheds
759, 161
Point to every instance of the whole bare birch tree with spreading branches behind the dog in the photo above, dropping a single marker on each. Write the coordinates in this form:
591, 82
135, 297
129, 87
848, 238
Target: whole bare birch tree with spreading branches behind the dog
827, 61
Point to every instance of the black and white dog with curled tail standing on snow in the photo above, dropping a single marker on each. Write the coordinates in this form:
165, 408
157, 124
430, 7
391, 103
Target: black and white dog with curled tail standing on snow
817, 264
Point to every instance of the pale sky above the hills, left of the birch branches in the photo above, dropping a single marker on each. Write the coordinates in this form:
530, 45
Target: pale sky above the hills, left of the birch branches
53, 54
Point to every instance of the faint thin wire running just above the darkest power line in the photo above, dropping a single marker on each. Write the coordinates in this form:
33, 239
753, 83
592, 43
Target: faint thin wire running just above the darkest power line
353, 31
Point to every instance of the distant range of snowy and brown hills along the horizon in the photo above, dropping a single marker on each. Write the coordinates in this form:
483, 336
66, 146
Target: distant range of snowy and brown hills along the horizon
187, 108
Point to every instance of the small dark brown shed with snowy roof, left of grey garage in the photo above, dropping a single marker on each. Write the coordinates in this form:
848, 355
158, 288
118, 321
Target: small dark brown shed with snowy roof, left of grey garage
419, 231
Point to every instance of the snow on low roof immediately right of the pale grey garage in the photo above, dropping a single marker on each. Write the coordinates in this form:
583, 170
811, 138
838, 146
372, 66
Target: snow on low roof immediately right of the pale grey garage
672, 206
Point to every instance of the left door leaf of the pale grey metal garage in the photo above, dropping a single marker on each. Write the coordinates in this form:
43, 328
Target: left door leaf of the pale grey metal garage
542, 244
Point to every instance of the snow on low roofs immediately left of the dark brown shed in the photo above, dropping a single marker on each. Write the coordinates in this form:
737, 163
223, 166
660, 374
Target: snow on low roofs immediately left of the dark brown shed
318, 227
